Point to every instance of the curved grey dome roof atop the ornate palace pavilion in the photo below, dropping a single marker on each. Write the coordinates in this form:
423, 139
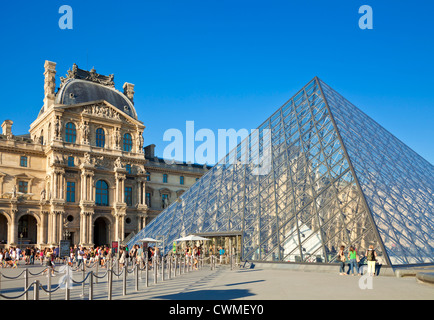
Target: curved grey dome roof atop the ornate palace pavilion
75, 91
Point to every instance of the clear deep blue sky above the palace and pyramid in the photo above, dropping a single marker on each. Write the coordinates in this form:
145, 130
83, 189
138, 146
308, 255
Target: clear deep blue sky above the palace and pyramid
228, 64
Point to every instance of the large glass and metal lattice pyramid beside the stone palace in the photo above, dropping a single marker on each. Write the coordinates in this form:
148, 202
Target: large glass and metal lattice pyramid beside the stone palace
316, 175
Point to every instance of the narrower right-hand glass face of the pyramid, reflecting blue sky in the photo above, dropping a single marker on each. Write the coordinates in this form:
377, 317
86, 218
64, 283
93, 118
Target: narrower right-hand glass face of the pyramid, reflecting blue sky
397, 183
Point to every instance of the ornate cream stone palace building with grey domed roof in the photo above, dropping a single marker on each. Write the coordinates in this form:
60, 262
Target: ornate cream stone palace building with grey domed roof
83, 173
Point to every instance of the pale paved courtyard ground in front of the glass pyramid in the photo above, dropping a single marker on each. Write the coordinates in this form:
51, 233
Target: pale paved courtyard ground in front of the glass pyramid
225, 284
